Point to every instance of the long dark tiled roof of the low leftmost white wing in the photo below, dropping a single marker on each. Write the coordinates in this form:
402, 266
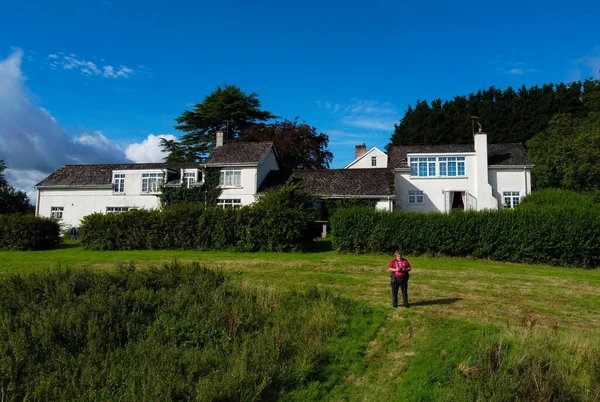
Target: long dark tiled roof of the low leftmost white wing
97, 175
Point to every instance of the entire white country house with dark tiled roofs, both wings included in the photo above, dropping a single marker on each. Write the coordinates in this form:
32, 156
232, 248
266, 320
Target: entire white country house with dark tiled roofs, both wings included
415, 178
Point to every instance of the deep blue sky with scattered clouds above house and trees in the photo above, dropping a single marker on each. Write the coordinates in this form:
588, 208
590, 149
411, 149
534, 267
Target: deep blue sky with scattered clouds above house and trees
109, 73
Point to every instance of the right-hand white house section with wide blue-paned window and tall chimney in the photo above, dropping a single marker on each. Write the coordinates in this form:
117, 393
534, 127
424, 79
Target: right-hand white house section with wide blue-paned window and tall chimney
478, 176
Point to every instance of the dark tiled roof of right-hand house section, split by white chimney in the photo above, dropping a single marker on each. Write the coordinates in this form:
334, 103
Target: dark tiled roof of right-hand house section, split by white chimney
498, 154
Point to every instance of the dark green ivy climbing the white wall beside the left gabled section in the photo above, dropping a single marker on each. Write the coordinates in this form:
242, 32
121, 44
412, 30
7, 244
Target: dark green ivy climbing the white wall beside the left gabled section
206, 194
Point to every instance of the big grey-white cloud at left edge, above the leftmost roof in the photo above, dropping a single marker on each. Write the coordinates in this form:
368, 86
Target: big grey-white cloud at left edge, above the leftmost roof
32, 143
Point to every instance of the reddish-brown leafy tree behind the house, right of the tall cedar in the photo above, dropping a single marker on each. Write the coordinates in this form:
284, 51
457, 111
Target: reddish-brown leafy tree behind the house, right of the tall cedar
298, 145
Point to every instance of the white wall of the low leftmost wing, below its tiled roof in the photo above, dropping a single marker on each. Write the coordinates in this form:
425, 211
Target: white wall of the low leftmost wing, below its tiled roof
78, 203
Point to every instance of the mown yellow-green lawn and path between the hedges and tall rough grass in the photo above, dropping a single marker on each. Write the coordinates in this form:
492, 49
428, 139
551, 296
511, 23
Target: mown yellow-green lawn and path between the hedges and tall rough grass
453, 301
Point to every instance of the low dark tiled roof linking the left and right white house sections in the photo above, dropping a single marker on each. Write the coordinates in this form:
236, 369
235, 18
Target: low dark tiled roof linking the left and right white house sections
347, 182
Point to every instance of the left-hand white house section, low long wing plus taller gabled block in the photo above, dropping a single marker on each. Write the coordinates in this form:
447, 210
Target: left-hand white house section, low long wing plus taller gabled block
74, 191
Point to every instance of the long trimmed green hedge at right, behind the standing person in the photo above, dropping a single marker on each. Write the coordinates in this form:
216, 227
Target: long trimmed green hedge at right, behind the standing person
552, 235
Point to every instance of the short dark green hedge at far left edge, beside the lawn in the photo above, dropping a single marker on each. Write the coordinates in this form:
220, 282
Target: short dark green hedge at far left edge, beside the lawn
28, 232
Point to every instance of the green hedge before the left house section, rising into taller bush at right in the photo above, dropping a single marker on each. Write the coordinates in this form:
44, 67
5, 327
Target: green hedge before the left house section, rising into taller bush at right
281, 220
